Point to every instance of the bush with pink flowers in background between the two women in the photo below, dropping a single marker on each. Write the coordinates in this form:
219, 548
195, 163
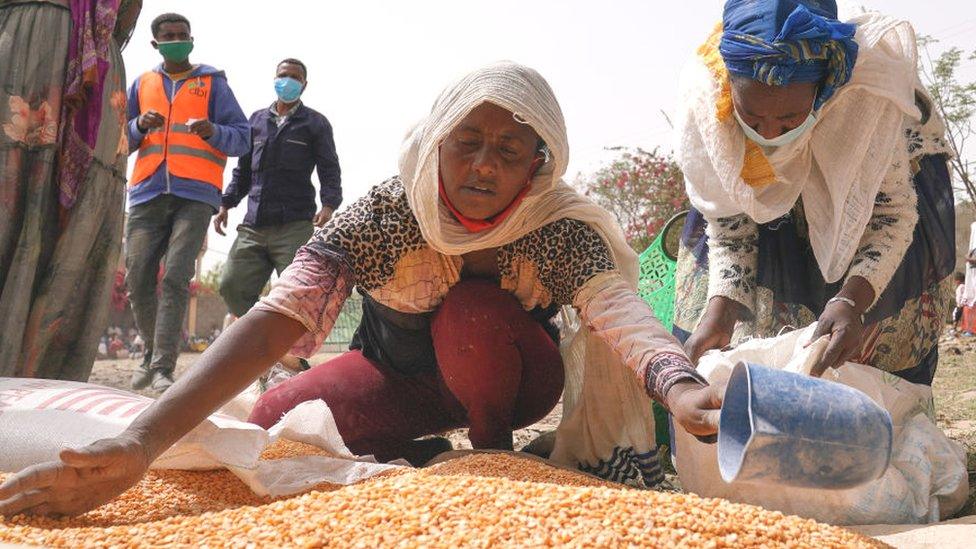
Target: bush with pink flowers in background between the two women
643, 189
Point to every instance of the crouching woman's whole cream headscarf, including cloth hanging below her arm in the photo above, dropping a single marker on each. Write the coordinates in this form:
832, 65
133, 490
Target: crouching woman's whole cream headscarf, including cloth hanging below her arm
605, 406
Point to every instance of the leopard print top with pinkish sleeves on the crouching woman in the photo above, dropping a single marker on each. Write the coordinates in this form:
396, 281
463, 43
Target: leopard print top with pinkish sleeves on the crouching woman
376, 244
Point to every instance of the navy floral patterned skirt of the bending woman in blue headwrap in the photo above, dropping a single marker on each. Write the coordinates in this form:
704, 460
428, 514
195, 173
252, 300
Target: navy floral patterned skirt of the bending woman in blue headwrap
903, 328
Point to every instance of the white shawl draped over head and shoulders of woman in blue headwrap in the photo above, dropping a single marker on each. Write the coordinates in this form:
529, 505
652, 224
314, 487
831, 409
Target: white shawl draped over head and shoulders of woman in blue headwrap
837, 166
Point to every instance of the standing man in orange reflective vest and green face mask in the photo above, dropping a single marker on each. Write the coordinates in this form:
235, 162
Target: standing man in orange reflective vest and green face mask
184, 121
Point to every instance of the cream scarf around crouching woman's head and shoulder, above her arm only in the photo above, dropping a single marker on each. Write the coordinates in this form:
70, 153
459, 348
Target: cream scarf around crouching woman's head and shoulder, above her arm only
525, 93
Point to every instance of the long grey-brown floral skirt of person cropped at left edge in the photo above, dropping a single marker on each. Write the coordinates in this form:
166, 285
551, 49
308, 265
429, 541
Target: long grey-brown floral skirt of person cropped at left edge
56, 266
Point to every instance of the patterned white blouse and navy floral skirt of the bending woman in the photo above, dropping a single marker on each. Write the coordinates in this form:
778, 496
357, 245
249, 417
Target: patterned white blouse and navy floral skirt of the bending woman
906, 253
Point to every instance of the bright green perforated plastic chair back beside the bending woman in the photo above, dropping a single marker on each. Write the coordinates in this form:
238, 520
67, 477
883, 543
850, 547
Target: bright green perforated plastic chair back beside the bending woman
657, 265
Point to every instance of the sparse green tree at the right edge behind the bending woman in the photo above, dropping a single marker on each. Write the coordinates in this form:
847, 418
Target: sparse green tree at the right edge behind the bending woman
955, 102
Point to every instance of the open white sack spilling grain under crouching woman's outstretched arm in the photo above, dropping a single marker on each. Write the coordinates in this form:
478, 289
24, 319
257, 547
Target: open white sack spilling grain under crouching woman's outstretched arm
40, 417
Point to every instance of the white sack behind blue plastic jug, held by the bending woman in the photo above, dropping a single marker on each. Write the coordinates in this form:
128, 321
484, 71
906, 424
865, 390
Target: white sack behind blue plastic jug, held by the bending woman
926, 480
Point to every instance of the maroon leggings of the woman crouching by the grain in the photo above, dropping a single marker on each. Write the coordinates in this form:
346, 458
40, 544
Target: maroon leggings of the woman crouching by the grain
497, 370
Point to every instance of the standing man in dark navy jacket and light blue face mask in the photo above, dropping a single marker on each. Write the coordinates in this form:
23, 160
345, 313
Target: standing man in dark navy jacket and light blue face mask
288, 141
